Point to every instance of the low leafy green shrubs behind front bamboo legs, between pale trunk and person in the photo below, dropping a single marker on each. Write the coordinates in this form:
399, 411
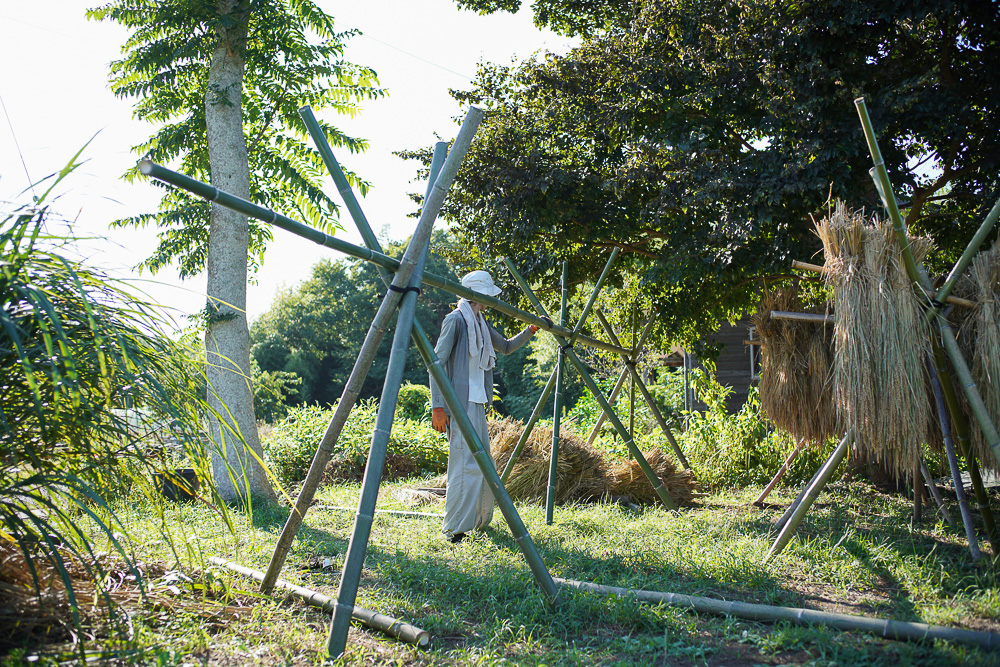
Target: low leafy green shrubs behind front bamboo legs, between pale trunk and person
414, 447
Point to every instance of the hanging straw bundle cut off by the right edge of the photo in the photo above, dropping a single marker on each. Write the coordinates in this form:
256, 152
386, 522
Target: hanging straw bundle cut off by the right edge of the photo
980, 338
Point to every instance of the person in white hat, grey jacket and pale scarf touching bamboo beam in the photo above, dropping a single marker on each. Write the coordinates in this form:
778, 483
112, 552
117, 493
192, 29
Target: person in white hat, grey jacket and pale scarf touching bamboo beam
467, 348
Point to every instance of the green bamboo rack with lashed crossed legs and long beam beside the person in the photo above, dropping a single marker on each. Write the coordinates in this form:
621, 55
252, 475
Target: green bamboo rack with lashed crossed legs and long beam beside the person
403, 279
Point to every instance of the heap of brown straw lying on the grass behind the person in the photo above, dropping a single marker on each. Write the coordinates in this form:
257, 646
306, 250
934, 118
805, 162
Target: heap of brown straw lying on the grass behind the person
582, 472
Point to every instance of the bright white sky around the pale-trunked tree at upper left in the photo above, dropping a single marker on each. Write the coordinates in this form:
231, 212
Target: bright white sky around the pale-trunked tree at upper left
55, 94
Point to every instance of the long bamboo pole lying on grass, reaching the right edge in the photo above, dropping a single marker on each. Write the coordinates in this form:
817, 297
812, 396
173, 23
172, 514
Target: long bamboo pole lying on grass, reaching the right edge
888, 629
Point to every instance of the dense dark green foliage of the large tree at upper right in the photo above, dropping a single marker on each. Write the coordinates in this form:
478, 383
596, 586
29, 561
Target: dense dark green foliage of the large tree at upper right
698, 137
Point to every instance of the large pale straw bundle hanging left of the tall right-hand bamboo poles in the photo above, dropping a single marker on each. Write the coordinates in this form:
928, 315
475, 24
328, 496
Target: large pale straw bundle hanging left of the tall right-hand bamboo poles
881, 339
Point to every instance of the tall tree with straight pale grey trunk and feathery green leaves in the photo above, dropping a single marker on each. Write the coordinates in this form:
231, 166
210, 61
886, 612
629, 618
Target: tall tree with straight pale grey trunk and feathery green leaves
225, 78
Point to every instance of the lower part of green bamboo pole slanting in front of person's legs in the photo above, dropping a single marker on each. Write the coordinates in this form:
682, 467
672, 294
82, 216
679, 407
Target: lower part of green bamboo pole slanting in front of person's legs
485, 462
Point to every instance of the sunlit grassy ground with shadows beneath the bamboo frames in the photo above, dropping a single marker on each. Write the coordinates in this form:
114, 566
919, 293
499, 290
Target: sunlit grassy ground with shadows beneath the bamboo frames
856, 553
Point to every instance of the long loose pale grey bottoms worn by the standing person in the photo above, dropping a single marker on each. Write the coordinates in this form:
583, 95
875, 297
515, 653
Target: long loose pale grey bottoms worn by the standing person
468, 502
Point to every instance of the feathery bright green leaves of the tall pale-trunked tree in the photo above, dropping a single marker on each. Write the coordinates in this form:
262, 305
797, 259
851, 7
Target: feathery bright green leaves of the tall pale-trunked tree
292, 57
